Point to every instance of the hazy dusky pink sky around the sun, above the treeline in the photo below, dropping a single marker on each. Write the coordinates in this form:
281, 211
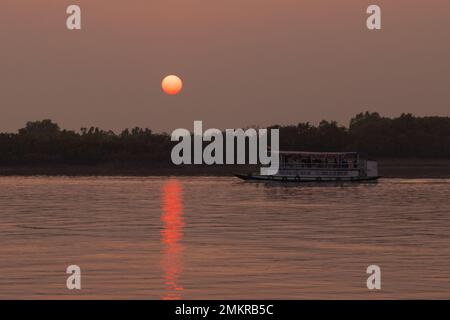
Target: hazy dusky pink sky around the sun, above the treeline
244, 62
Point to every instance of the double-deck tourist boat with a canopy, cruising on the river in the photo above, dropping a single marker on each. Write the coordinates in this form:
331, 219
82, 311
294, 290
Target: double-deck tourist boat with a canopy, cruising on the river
319, 166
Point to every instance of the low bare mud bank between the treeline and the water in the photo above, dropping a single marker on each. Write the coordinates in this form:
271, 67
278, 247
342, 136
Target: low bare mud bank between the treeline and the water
389, 168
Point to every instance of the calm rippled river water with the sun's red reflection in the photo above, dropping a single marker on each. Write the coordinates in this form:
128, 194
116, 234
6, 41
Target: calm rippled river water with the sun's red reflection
219, 238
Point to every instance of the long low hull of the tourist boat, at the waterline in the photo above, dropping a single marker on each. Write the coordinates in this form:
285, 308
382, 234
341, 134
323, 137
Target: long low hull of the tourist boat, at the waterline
292, 179
